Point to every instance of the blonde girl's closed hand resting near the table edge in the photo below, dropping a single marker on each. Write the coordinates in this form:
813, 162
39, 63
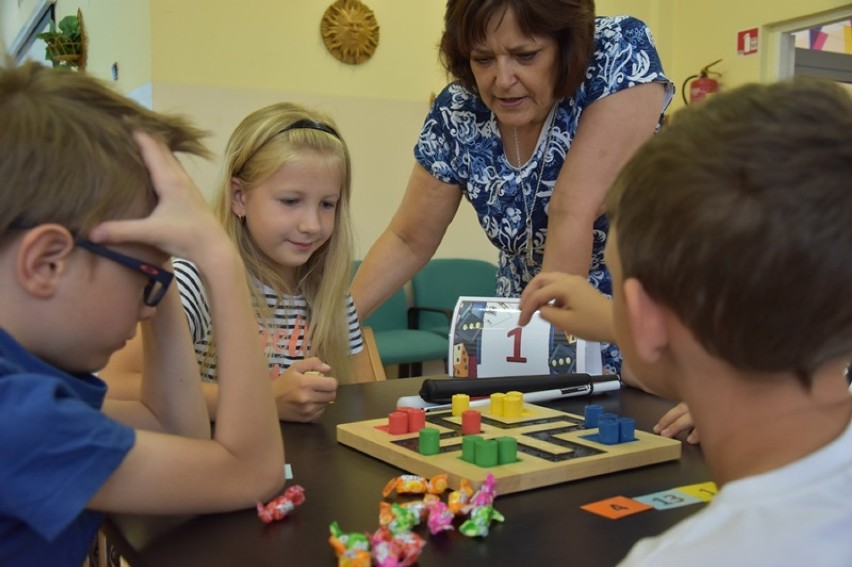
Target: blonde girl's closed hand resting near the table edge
301, 394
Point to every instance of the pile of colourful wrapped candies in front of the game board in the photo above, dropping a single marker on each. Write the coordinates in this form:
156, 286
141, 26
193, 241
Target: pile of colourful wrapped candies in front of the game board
394, 543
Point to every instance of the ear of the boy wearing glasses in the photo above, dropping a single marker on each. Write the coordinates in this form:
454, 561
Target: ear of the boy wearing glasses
42, 258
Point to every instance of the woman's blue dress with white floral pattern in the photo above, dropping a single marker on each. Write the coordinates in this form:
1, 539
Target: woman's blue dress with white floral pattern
460, 144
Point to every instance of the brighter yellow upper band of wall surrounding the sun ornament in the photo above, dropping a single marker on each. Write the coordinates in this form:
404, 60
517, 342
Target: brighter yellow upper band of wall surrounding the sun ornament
277, 45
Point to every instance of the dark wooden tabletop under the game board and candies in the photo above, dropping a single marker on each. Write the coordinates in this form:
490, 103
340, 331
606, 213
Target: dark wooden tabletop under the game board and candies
545, 525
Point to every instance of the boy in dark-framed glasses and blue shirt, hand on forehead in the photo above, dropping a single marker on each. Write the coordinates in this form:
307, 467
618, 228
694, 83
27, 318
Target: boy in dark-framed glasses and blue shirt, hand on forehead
92, 205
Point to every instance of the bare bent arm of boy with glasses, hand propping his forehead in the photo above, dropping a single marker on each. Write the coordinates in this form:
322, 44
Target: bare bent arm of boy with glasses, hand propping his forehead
243, 462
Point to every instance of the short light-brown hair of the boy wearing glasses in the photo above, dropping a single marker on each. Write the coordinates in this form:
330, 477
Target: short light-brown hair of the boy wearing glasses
67, 154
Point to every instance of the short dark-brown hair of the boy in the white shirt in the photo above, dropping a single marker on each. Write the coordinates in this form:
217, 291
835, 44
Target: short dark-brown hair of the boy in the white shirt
738, 217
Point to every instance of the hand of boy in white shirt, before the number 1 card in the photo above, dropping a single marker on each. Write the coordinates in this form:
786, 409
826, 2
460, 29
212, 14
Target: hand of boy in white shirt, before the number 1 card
570, 303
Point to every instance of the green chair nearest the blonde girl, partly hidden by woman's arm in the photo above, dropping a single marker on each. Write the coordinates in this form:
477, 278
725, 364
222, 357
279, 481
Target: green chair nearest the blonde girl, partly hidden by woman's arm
397, 343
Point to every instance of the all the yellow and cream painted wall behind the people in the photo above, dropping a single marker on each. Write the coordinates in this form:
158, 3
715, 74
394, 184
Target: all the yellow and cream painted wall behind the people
218, 60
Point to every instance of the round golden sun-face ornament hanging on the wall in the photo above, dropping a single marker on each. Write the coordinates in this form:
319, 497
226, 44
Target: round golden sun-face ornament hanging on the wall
350, 31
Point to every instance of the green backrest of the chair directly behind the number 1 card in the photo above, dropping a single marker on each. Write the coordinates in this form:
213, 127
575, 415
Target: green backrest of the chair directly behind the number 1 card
442, 281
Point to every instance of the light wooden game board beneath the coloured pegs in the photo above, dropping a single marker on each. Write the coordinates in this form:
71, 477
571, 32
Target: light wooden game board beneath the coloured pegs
553, 447
